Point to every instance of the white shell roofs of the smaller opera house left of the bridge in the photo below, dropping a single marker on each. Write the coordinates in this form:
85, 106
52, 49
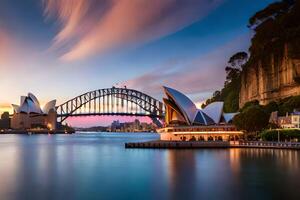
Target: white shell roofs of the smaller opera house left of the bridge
30, 104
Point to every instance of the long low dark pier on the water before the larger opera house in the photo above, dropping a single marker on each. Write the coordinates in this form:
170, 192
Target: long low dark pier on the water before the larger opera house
213, 144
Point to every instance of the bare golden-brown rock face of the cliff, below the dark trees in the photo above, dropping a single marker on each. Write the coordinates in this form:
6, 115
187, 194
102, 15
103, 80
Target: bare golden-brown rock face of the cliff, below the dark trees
275, 81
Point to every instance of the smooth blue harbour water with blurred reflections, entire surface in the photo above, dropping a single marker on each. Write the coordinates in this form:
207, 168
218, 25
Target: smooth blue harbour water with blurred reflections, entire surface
97, 166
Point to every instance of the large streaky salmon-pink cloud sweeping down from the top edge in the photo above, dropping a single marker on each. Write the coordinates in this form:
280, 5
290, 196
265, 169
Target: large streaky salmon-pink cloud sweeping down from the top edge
90, 26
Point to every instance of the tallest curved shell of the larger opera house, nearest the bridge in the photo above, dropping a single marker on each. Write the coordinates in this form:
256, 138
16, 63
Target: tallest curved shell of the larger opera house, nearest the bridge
187, 107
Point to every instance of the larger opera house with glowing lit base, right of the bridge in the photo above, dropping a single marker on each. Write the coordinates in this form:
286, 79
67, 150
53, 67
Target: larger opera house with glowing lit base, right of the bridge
185, 122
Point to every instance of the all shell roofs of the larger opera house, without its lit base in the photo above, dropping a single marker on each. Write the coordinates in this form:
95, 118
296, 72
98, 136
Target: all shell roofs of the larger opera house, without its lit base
211, 114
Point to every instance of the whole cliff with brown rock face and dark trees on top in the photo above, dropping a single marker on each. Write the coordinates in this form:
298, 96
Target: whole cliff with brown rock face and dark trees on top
273, 69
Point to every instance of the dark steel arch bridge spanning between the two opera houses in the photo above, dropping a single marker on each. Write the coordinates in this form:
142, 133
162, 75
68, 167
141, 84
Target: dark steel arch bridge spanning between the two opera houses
112, 101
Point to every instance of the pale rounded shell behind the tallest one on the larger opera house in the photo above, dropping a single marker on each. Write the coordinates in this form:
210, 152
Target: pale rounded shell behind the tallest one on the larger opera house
214, 111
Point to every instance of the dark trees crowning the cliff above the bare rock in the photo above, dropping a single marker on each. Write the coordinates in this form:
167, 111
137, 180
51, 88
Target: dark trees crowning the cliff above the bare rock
276, 27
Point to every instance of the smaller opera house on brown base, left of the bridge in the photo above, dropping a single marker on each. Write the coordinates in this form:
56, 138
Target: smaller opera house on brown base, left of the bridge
30, 115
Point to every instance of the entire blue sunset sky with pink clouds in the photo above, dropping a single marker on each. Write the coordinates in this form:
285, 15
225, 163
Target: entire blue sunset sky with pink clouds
59, 49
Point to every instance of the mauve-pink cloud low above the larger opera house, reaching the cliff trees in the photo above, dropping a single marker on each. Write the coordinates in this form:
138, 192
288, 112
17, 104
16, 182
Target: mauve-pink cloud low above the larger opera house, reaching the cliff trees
203, 74
